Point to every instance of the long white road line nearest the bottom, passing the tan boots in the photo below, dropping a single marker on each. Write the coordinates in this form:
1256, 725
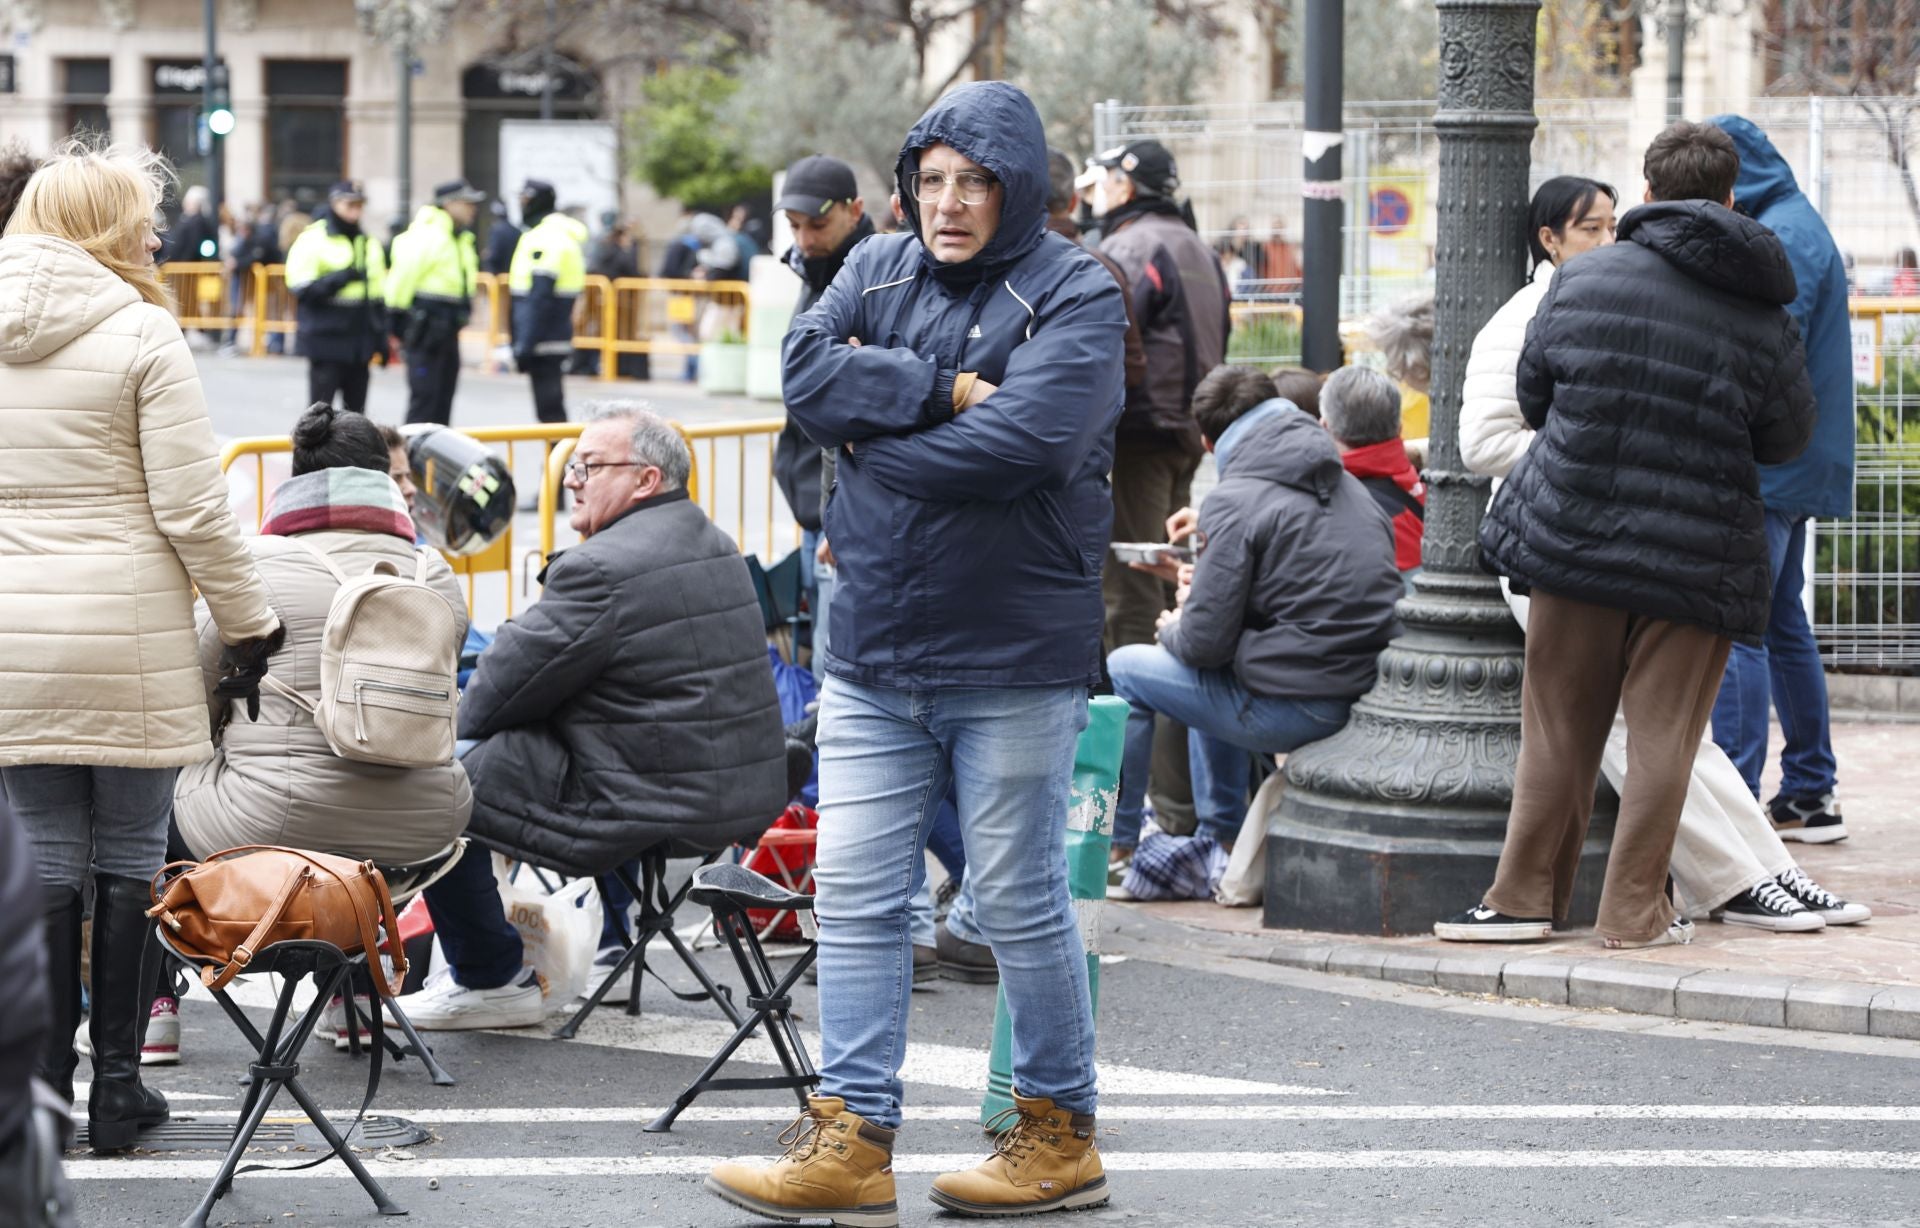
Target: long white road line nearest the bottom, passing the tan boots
521, 1168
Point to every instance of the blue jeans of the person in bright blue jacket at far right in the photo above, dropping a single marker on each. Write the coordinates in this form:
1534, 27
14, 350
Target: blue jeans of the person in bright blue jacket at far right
1785, 674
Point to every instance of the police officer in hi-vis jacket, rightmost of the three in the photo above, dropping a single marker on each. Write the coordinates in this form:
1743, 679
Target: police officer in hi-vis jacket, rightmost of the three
550, 270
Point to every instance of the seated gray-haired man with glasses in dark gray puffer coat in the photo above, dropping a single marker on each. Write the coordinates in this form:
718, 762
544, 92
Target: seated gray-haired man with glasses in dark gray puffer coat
631, 707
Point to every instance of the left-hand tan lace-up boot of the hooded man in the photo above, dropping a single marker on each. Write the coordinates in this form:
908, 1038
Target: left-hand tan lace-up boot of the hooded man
838, 1168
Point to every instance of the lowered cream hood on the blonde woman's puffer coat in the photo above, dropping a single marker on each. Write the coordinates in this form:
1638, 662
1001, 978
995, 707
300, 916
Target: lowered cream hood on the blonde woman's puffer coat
53, 293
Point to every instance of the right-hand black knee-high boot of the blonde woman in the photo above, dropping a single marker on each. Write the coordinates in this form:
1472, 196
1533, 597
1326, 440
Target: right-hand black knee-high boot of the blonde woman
118, 1106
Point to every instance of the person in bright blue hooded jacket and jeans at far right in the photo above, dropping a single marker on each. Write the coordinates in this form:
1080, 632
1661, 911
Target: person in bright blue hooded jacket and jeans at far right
1787, 669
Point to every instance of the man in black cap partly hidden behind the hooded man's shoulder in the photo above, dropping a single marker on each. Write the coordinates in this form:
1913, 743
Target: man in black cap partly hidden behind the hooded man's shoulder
828, 218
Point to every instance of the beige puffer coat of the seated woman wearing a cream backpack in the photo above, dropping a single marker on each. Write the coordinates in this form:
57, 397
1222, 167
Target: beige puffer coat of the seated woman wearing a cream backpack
276, 782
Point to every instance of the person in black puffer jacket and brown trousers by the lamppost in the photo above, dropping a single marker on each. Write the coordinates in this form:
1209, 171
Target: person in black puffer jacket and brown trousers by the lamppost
1660, 373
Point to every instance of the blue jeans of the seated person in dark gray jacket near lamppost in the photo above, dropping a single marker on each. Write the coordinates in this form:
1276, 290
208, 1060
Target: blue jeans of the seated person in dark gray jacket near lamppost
1226, 722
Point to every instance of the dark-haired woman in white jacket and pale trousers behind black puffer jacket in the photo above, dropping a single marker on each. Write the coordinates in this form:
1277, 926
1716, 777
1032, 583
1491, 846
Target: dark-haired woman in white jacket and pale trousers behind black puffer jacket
1727, 859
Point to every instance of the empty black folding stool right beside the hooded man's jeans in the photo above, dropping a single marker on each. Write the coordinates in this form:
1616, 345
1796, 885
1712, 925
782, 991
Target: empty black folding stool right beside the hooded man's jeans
731, 891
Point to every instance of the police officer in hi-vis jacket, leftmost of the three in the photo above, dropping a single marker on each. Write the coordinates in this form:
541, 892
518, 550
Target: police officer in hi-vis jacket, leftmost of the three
339, 277
